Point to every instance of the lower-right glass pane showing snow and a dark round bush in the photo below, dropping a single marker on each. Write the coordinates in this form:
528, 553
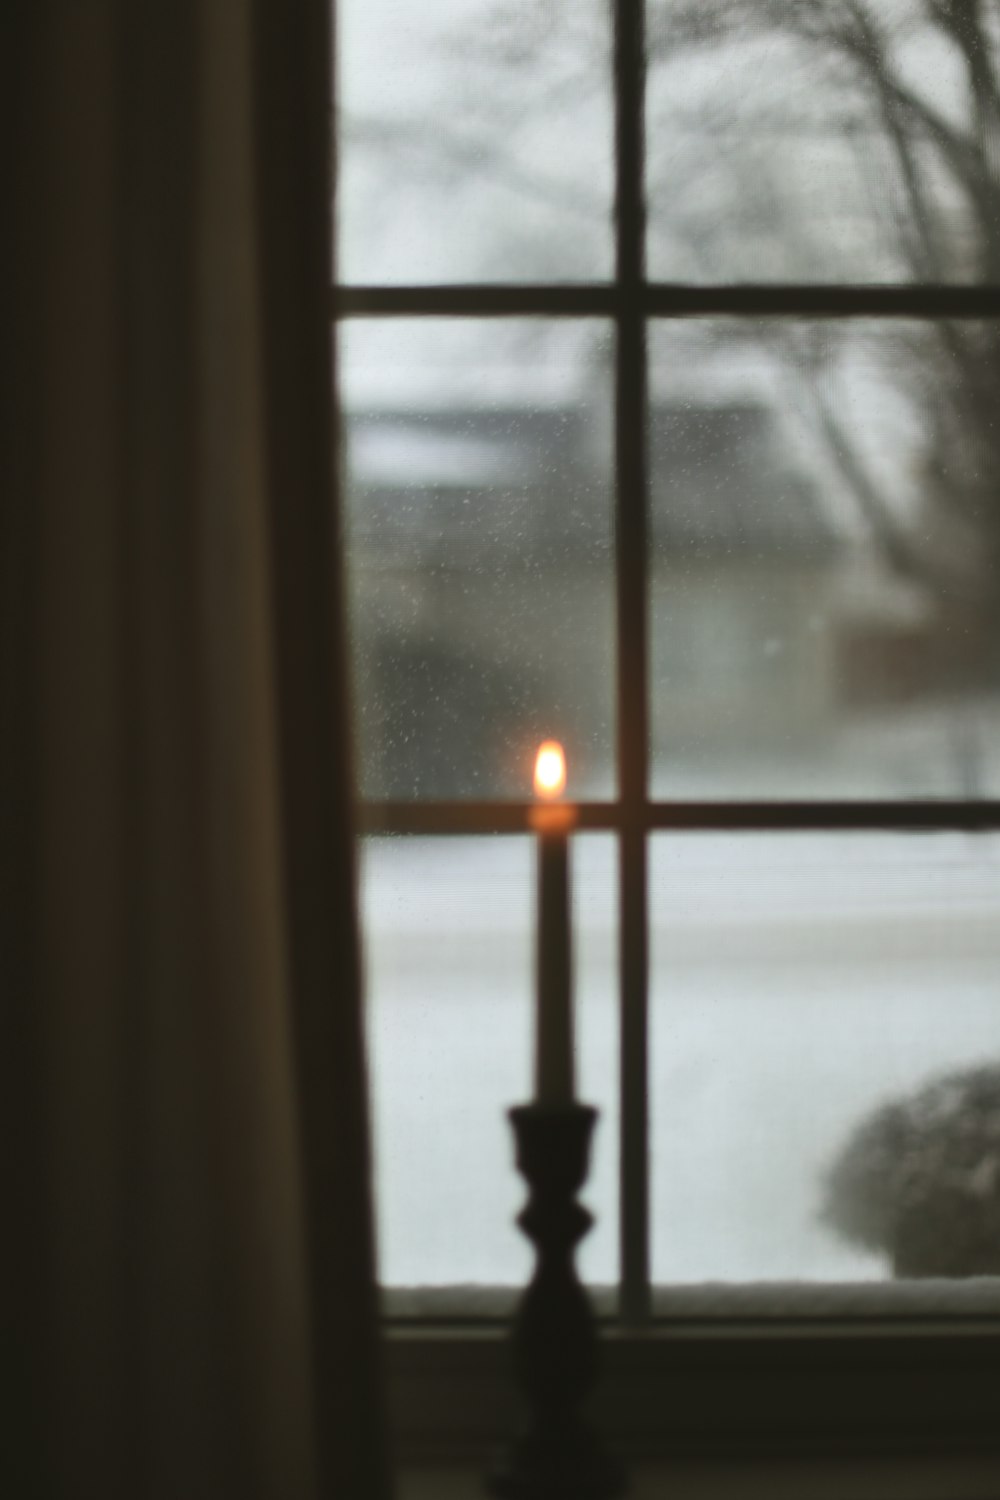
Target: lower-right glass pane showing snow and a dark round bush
825, 1076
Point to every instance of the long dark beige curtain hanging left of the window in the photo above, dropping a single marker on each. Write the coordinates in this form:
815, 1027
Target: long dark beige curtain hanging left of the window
188, 1253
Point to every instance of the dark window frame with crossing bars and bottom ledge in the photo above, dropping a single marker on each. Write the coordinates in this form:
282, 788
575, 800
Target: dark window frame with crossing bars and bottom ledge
729, 1385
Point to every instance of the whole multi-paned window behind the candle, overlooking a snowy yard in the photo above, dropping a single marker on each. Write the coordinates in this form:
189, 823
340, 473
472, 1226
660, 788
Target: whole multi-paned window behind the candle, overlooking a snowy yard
668, 358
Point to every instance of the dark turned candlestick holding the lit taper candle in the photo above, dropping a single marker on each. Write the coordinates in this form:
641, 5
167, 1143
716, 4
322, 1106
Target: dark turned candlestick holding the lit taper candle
558, 1456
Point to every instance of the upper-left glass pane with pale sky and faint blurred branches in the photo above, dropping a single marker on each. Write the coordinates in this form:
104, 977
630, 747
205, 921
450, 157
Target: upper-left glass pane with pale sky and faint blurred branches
476, 142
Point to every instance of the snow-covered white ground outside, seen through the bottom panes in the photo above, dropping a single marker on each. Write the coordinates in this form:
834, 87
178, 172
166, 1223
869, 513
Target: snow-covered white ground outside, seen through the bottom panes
795, 985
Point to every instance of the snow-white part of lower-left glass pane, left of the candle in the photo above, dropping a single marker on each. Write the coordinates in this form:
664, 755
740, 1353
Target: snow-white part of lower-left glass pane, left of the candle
449, 977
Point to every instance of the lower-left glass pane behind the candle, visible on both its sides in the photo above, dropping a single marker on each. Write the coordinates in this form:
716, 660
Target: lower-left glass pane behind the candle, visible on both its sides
449, 934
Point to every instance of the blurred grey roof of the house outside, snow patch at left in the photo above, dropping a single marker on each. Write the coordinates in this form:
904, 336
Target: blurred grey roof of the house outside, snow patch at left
720, 481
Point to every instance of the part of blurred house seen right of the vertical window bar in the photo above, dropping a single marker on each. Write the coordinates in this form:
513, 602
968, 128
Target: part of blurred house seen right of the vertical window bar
744, 568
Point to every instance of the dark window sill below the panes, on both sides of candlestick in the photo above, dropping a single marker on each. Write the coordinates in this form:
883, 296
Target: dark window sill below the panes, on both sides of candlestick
722, 1391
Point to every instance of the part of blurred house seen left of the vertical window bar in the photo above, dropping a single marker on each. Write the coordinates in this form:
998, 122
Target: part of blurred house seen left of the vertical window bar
481, 547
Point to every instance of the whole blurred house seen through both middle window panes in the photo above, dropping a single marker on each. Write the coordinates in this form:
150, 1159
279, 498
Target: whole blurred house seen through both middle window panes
484, 607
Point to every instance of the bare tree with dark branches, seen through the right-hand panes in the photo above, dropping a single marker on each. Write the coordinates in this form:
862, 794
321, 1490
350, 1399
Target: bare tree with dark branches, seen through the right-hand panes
908, 100
